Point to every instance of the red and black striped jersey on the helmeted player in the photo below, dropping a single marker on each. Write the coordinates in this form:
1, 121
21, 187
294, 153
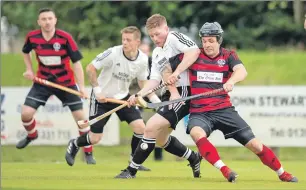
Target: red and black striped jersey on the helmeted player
207, 74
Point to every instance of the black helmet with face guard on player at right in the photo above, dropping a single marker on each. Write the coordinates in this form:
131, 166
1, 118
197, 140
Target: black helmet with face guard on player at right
212, 29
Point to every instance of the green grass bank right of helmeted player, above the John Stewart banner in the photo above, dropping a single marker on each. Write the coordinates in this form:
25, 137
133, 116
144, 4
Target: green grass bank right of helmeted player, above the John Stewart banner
274, 67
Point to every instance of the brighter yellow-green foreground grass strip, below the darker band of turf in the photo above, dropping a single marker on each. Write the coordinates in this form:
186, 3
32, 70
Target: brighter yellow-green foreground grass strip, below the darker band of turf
164, 175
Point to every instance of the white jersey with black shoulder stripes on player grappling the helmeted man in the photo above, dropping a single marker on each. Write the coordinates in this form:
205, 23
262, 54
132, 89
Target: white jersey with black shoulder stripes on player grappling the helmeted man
176, 43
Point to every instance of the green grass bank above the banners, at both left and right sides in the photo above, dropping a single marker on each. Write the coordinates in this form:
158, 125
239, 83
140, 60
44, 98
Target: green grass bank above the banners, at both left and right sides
264, 68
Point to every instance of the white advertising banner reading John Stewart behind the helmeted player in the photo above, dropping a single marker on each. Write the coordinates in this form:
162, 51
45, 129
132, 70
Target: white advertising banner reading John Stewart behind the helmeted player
276, 114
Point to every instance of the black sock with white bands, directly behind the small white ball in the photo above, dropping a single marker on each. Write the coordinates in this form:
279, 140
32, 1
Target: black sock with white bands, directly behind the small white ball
143, 150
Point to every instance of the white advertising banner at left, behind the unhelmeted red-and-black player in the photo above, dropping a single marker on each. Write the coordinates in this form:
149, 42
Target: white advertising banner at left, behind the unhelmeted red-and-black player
54, 122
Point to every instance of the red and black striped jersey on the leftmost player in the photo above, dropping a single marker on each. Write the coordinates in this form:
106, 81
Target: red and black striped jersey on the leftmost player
54, 55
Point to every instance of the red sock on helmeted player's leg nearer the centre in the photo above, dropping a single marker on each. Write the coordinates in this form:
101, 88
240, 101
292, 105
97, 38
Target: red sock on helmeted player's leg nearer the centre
208, 151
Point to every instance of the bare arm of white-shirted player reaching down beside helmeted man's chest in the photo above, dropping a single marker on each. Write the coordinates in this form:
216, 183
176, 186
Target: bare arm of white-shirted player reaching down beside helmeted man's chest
189, 58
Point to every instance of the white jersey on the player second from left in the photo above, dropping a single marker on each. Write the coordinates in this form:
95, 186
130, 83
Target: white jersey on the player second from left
118, 71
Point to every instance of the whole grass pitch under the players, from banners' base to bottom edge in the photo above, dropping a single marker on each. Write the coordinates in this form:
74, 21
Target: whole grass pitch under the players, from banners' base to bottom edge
44, 168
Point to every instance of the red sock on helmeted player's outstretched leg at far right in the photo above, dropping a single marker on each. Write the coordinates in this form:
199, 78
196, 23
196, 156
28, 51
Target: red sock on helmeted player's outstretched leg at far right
269, 159
